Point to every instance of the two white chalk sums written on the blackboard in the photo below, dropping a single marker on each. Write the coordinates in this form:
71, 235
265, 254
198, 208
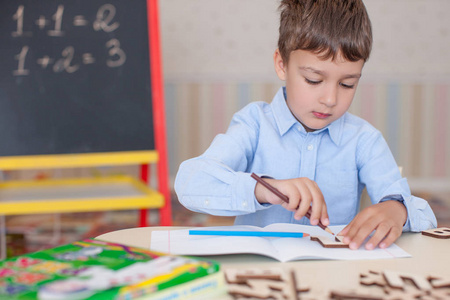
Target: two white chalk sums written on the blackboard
105, 21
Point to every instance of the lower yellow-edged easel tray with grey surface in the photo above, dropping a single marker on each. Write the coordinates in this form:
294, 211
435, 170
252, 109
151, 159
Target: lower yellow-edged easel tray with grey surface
77, 195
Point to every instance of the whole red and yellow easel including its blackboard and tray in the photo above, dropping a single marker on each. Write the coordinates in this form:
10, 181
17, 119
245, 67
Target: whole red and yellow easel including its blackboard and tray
118, 96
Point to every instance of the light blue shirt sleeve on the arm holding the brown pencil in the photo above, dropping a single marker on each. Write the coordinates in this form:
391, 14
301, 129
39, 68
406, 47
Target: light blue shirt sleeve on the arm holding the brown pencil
218, 181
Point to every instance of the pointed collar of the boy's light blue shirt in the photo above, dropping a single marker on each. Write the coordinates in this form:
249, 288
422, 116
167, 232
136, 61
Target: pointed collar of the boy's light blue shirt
285, 119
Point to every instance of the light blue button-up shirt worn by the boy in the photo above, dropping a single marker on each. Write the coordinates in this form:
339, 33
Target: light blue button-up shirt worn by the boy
342, 158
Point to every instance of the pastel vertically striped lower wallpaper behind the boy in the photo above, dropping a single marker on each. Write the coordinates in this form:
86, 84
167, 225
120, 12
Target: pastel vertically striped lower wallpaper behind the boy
413, 118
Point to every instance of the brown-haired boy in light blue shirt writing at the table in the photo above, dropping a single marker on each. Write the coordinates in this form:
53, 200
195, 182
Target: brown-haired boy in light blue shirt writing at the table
305, 142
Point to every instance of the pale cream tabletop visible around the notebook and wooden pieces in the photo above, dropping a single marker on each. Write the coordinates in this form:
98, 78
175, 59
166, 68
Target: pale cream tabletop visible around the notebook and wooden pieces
430, 256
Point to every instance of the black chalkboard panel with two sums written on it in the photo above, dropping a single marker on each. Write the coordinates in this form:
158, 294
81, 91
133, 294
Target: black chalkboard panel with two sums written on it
74, 77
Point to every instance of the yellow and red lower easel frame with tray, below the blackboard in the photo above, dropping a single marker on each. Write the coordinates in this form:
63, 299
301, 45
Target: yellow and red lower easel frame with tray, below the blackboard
82, 194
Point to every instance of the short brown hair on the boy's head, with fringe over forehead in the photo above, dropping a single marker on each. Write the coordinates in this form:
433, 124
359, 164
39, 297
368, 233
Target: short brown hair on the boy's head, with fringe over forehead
325, 27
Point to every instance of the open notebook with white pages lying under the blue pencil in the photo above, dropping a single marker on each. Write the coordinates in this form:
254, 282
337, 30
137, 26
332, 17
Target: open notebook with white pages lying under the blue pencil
282, 249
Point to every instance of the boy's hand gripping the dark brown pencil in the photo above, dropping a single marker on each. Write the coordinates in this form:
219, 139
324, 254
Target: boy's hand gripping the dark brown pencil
302, 192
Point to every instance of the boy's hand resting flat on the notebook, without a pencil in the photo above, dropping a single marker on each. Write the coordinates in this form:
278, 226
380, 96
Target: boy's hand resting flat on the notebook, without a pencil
386, 218
